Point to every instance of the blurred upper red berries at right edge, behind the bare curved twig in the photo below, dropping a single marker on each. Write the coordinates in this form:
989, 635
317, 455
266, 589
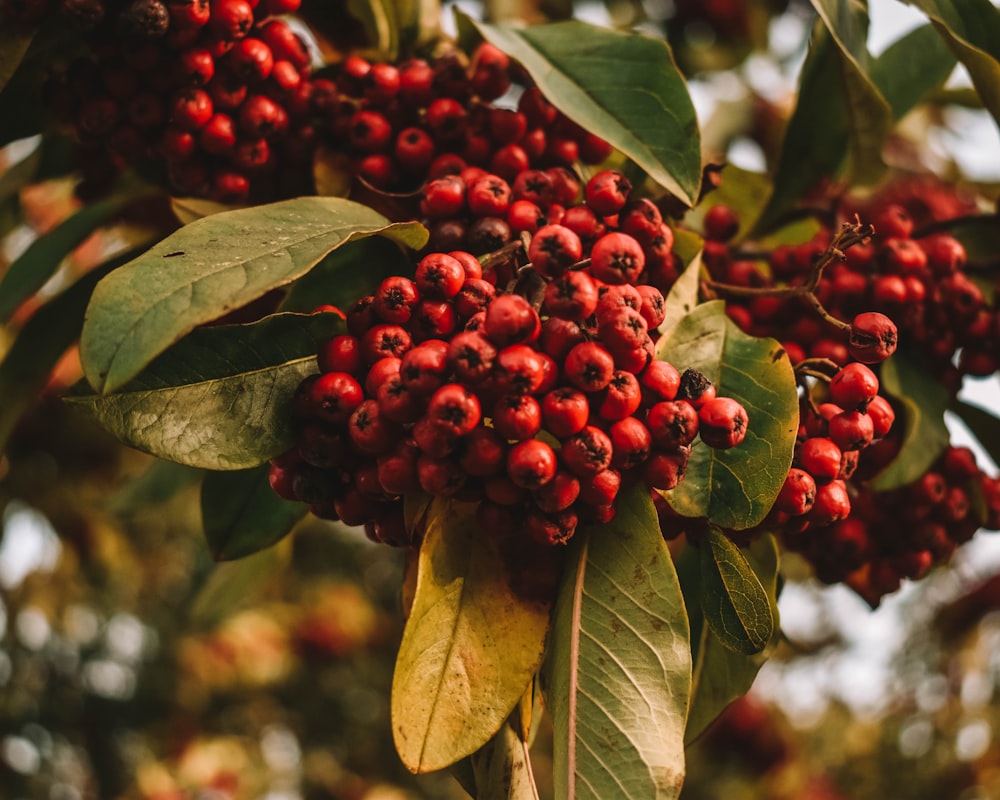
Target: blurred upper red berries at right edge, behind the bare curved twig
917, 280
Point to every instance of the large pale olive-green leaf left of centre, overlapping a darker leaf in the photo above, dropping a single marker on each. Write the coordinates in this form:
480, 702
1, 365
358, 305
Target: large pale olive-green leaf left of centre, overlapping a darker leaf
210, 267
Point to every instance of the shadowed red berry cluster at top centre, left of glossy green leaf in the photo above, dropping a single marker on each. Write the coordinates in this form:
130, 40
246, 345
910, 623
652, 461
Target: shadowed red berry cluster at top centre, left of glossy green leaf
421, 120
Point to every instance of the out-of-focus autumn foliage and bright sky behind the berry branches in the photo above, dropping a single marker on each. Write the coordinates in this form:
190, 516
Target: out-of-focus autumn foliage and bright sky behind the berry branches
132, 666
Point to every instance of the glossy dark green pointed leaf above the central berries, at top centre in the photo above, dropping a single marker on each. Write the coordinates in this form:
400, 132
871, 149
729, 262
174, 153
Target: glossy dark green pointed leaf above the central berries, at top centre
624, 87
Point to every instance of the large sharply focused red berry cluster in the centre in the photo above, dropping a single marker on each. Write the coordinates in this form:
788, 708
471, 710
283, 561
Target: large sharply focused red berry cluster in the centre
539, 402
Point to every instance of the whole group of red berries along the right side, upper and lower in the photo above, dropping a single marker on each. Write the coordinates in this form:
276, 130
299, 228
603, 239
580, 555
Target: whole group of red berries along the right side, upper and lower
870, 540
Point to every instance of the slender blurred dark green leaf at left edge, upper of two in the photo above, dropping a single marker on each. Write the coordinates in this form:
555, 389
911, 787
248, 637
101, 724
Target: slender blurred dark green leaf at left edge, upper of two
29, 272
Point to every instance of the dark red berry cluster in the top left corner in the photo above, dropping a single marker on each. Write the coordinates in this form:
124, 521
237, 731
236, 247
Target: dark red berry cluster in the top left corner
213, 96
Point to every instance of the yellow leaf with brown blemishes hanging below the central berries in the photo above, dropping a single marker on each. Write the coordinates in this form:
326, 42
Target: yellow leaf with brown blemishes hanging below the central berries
473, 641
